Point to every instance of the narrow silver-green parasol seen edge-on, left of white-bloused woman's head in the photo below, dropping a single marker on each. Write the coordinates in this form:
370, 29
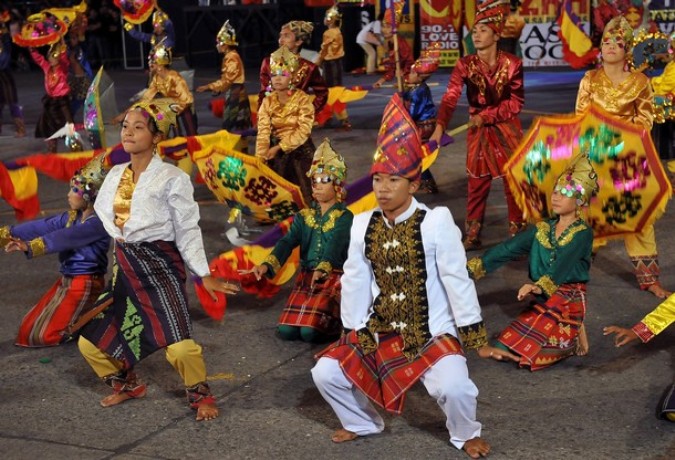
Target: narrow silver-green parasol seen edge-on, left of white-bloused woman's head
99, 105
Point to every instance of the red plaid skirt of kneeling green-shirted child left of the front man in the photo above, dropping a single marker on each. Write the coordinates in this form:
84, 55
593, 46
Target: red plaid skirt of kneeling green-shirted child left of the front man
318, 308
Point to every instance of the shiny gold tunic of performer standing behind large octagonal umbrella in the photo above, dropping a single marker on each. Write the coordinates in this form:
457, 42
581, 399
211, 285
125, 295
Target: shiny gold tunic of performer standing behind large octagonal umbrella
630, 100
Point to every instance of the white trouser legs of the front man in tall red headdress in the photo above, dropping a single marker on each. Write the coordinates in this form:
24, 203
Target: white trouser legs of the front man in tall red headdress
447, 381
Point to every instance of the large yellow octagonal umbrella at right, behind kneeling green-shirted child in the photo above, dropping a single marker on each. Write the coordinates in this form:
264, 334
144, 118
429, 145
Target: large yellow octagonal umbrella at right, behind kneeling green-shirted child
634, 188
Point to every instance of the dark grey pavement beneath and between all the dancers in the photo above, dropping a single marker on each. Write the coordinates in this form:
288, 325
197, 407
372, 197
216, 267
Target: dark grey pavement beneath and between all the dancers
598, 407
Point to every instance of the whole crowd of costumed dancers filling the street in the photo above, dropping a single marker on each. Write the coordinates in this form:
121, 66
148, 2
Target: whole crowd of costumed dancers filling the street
392, 287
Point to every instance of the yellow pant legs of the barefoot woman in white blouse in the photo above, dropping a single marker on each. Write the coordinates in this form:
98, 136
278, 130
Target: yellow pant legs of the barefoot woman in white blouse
185, 356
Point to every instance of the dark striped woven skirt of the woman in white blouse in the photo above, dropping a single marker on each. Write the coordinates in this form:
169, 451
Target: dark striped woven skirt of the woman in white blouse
149, 309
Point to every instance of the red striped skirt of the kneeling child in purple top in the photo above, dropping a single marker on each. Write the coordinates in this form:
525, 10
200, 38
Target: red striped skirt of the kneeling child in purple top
61, 306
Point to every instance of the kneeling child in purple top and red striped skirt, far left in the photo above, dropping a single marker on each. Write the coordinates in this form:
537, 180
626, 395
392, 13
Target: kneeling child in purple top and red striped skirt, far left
82, 244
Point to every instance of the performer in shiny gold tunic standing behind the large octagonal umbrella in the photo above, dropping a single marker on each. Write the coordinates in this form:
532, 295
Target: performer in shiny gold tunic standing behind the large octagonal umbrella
628, 96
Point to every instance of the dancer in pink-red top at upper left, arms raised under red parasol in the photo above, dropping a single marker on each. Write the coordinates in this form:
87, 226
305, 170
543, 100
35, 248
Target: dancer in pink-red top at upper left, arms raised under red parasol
56, 102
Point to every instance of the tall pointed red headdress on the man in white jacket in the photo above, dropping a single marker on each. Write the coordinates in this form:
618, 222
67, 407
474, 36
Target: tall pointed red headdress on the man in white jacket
399, 146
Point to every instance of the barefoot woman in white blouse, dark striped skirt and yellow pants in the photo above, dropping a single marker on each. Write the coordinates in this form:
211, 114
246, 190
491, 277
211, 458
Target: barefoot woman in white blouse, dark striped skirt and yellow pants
147, 207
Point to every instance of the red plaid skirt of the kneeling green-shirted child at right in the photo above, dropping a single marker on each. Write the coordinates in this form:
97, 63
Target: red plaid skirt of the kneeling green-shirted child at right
547, 333
